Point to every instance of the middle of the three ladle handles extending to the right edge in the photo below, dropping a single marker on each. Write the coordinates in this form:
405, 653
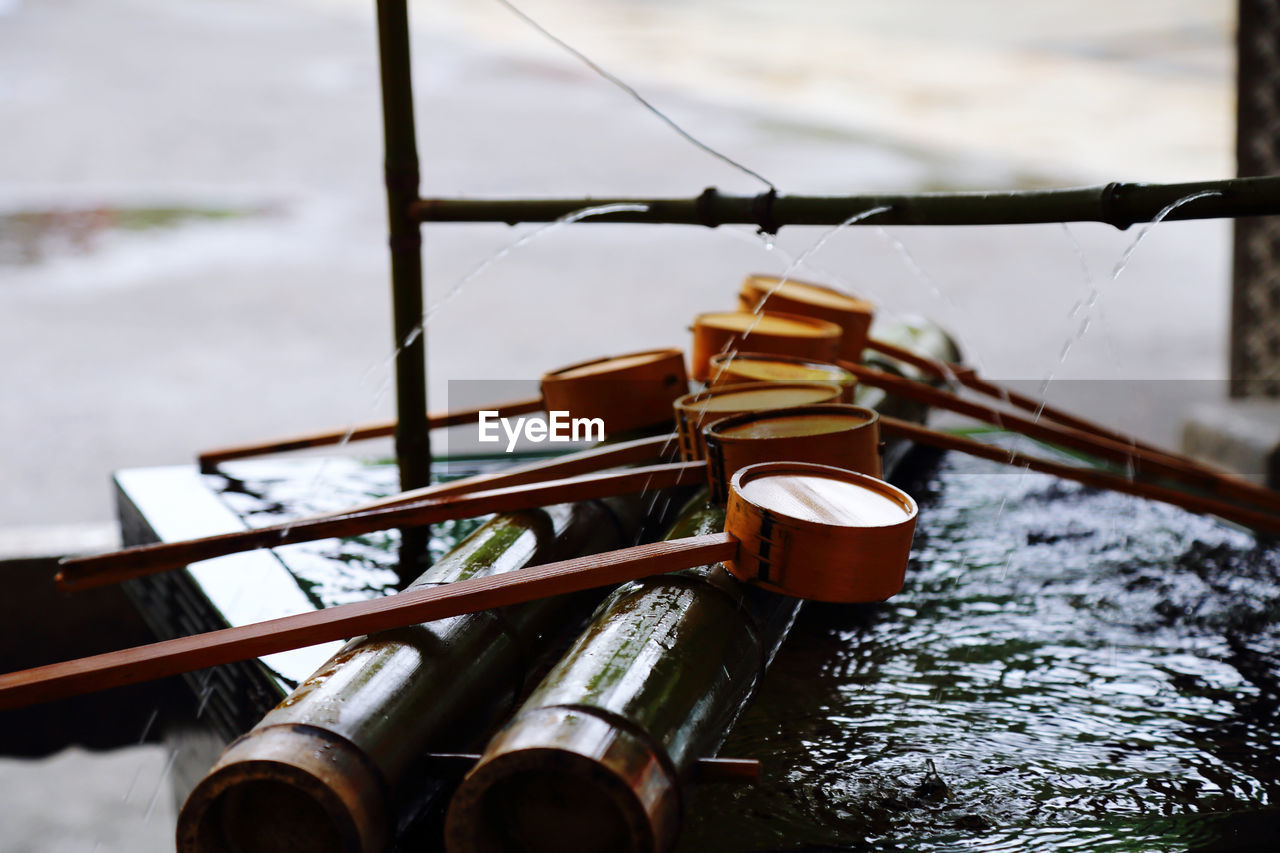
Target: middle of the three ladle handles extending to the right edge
1144, 462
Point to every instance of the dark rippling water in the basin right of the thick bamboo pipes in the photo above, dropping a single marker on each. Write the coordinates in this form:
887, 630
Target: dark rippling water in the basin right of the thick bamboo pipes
1085, 672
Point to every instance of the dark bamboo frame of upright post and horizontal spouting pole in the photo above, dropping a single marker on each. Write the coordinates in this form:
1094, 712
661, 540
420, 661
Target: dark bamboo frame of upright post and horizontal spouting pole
1117, 204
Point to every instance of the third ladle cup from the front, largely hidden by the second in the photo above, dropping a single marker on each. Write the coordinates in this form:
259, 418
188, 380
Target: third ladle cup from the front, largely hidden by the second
701, 409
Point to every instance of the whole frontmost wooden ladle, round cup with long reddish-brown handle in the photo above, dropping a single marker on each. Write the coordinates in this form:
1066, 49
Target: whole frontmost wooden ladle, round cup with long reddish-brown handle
808, 531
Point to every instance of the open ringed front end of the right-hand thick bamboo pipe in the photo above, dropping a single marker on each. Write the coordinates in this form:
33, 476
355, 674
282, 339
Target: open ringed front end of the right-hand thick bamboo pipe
565, 781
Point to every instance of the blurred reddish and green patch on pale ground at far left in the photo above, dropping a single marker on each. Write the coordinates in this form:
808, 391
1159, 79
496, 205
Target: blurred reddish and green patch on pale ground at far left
34, 236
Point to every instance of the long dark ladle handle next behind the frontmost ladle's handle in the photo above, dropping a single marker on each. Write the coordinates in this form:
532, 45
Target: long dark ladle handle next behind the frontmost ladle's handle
99, 571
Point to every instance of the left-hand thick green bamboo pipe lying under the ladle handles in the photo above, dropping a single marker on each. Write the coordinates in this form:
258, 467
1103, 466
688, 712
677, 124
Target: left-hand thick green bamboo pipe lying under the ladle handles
327, 769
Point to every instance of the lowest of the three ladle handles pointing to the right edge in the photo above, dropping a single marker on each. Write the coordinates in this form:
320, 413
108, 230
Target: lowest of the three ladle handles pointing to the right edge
1258, 521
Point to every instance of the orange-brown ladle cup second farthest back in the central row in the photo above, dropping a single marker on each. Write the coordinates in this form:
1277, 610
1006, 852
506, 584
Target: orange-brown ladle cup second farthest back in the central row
762, 332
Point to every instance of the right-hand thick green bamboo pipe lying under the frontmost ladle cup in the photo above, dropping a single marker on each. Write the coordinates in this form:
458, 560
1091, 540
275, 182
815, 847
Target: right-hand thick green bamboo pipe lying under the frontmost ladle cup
600, 755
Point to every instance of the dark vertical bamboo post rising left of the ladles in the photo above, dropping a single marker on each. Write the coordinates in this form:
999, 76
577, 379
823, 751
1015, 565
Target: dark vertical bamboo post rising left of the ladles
413, 439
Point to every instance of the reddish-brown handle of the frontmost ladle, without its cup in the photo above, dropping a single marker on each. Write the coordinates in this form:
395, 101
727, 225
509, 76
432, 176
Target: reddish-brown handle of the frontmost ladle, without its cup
413, 606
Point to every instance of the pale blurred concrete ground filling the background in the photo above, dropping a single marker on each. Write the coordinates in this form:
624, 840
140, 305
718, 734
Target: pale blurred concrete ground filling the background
139, 348
